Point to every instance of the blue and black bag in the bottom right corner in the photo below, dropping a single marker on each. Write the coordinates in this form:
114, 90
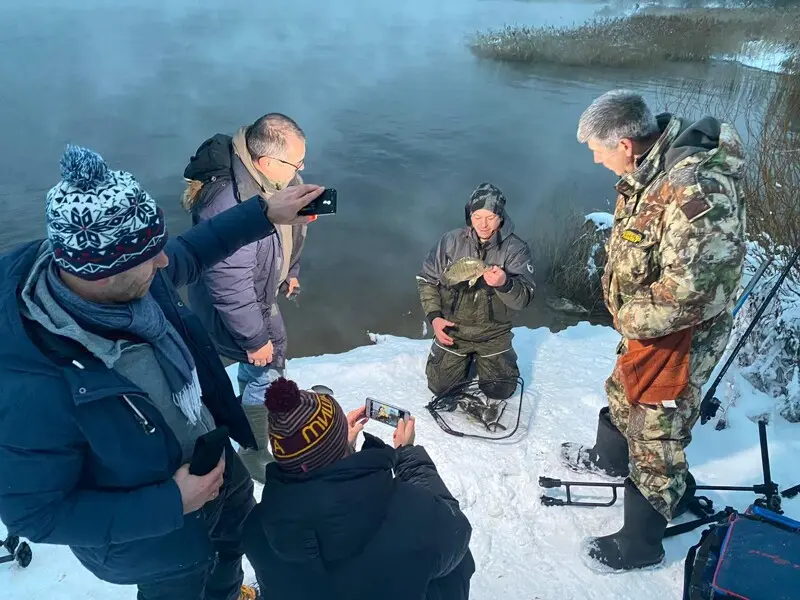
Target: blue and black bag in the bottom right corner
750, 556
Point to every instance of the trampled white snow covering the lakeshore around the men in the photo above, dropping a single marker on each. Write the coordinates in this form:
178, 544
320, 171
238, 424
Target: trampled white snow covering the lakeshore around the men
523, 550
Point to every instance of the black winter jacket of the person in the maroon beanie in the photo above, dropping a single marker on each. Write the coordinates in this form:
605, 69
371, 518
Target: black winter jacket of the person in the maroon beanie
353, 531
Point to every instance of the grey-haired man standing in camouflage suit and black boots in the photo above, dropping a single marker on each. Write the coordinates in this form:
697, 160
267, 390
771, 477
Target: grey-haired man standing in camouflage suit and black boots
674, 265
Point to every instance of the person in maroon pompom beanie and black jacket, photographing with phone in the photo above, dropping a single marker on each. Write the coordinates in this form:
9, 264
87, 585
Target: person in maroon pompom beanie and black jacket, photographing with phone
340, 524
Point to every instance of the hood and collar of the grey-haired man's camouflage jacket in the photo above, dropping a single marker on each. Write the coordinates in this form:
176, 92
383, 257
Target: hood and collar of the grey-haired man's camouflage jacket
680, 140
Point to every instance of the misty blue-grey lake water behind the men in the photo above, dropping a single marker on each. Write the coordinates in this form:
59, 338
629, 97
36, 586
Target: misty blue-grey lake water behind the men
400, 118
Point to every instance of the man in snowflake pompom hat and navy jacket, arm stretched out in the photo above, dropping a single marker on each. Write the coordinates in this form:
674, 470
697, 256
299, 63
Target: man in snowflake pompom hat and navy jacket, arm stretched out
107, 380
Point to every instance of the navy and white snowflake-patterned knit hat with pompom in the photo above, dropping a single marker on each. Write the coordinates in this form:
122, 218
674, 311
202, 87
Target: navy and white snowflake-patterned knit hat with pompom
100, 222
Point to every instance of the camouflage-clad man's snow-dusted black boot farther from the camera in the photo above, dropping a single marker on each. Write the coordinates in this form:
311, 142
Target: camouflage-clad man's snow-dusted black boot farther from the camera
609, 454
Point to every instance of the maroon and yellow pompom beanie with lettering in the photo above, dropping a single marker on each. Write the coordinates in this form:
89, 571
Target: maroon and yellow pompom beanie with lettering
307, 430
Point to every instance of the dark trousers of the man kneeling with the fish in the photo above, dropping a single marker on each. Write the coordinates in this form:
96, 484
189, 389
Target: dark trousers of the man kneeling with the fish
491, 360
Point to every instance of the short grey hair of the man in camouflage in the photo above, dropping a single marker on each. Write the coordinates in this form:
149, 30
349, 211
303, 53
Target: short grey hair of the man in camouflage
617, 115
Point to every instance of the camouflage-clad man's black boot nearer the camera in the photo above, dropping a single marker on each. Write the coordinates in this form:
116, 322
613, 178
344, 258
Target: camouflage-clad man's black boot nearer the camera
638, 543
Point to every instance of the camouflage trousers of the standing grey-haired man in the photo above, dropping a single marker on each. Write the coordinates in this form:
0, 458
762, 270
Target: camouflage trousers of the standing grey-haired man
657, 440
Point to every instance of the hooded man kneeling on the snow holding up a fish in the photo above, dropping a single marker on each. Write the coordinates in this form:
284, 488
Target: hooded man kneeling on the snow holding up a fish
471, 320
